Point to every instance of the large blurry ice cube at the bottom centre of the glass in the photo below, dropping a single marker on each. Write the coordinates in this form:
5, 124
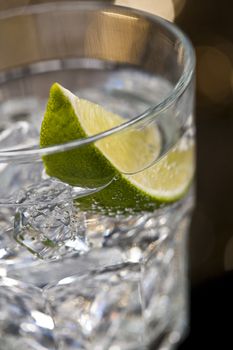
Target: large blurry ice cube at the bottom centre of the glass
98, 308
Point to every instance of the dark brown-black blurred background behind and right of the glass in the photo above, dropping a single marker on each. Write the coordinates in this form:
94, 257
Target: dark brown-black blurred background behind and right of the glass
209, 24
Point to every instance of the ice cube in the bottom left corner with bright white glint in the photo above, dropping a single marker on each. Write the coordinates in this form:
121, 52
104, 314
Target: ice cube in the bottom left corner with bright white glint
24, 321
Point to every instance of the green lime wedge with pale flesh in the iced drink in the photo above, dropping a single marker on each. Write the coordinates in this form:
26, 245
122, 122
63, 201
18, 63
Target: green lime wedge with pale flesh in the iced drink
112, 159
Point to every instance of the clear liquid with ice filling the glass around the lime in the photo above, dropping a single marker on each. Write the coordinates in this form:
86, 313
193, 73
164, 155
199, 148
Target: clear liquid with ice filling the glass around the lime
104, 282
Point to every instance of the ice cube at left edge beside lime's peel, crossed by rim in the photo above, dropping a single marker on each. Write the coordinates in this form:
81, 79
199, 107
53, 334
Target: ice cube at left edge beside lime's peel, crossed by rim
18, 131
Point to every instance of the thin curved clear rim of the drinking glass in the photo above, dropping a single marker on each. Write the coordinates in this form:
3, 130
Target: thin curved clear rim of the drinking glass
153, 111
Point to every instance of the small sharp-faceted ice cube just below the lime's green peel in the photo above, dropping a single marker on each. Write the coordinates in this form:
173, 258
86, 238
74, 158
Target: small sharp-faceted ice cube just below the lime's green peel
47, 227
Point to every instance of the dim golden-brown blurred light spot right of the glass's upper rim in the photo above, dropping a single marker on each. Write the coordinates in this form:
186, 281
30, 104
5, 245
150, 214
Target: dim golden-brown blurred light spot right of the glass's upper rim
214, 70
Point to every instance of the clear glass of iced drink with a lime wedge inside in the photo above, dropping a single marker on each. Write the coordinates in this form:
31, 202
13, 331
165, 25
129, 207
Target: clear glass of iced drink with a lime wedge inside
96, 171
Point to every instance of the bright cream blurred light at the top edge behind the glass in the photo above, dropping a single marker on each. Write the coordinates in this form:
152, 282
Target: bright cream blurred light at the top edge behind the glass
162, 8
